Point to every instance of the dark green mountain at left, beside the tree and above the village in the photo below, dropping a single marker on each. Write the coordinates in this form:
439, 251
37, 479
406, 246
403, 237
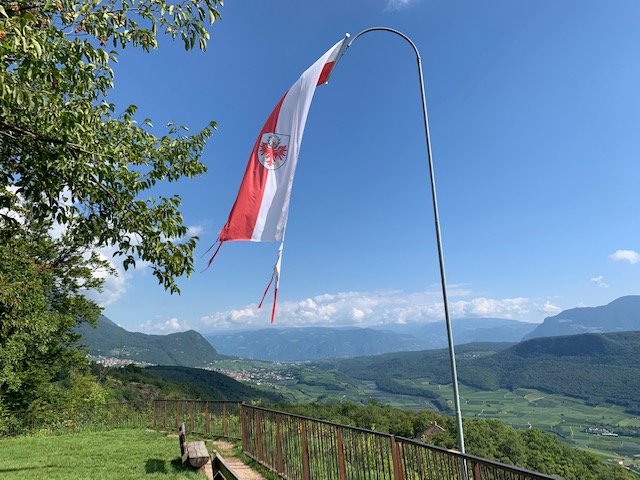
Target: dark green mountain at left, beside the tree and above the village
111, 341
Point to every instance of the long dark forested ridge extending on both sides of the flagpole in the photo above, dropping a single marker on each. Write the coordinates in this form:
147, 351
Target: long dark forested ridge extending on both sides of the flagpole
594, 367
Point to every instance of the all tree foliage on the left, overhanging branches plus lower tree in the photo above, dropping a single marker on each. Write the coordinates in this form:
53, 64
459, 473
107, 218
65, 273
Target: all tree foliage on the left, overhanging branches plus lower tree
71, 162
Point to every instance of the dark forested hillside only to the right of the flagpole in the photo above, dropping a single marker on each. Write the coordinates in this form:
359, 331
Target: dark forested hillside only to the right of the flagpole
595, 367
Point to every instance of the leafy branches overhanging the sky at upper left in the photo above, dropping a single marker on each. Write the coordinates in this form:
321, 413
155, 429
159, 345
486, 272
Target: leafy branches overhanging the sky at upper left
68, 152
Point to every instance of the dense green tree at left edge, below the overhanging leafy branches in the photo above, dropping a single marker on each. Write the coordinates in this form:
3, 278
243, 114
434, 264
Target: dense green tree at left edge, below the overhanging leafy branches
42, 282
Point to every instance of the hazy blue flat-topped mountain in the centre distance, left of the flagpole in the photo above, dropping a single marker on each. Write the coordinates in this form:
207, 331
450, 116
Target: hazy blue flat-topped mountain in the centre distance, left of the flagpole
299, 344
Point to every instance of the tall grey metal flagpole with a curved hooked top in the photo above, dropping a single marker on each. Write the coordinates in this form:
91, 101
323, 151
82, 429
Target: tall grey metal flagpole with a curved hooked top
452, 358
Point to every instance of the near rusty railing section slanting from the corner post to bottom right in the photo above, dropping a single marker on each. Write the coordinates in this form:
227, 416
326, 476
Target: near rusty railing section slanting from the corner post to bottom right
301, 448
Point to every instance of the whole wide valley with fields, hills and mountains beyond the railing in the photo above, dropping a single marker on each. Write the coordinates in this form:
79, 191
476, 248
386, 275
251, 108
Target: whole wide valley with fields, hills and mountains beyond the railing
582, 389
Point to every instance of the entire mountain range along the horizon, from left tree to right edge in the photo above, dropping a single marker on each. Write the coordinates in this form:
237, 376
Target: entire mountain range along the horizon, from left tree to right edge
310, 343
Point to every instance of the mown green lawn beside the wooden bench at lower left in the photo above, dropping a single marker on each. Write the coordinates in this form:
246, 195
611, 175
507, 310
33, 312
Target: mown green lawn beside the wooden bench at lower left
106, 455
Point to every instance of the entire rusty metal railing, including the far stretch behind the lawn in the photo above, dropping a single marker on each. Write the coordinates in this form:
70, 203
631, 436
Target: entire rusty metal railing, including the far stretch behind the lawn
293, 446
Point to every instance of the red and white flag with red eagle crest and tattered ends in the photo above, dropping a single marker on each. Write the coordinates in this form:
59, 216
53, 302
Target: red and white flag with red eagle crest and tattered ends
262, 206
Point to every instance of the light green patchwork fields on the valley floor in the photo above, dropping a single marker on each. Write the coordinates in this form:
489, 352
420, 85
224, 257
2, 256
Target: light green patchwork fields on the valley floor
565, 417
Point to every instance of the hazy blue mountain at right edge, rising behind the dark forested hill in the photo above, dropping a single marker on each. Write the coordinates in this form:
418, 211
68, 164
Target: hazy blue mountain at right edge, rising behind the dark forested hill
623, 314
